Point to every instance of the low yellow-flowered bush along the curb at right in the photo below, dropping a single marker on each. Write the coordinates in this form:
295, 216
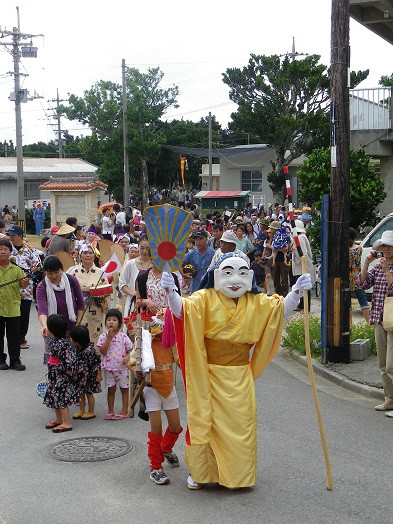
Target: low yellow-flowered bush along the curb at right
294, 335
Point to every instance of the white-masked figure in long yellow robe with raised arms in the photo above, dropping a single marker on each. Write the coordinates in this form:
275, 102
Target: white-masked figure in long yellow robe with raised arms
216, 328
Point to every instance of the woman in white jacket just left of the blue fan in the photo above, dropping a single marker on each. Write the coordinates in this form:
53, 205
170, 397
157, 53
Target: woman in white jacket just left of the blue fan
132, 269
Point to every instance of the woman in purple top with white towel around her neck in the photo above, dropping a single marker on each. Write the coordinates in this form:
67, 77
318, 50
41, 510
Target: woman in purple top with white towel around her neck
59, 294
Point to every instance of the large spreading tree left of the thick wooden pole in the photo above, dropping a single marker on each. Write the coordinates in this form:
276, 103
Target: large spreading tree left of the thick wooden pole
285, 103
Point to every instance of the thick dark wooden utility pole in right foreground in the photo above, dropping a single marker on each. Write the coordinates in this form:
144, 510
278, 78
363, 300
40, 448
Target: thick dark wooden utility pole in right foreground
339, 298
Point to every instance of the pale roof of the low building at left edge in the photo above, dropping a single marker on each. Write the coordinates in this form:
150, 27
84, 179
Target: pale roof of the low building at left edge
47, 165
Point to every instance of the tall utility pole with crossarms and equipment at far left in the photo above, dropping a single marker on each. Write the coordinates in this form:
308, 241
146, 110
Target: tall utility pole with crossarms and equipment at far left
19, 96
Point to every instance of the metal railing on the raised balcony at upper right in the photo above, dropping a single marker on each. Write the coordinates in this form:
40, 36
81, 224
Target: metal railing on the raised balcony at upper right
370, 109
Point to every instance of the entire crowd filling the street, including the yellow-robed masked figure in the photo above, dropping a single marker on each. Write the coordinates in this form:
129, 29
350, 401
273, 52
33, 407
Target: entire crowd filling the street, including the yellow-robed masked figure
87, 341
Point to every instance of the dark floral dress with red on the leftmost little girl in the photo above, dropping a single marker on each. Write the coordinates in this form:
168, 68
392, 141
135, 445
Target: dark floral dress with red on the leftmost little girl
62, 390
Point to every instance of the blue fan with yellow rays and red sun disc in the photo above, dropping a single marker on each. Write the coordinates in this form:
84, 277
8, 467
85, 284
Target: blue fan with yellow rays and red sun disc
168, 228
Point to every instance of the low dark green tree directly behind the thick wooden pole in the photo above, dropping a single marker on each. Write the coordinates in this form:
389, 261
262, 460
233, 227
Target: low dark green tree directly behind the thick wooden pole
366, 186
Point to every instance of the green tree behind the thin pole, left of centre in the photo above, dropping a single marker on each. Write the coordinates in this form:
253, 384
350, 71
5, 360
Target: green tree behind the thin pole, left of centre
101, 110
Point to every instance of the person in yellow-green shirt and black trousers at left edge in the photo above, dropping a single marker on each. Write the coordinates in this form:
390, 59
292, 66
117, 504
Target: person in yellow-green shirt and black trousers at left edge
10, 307
